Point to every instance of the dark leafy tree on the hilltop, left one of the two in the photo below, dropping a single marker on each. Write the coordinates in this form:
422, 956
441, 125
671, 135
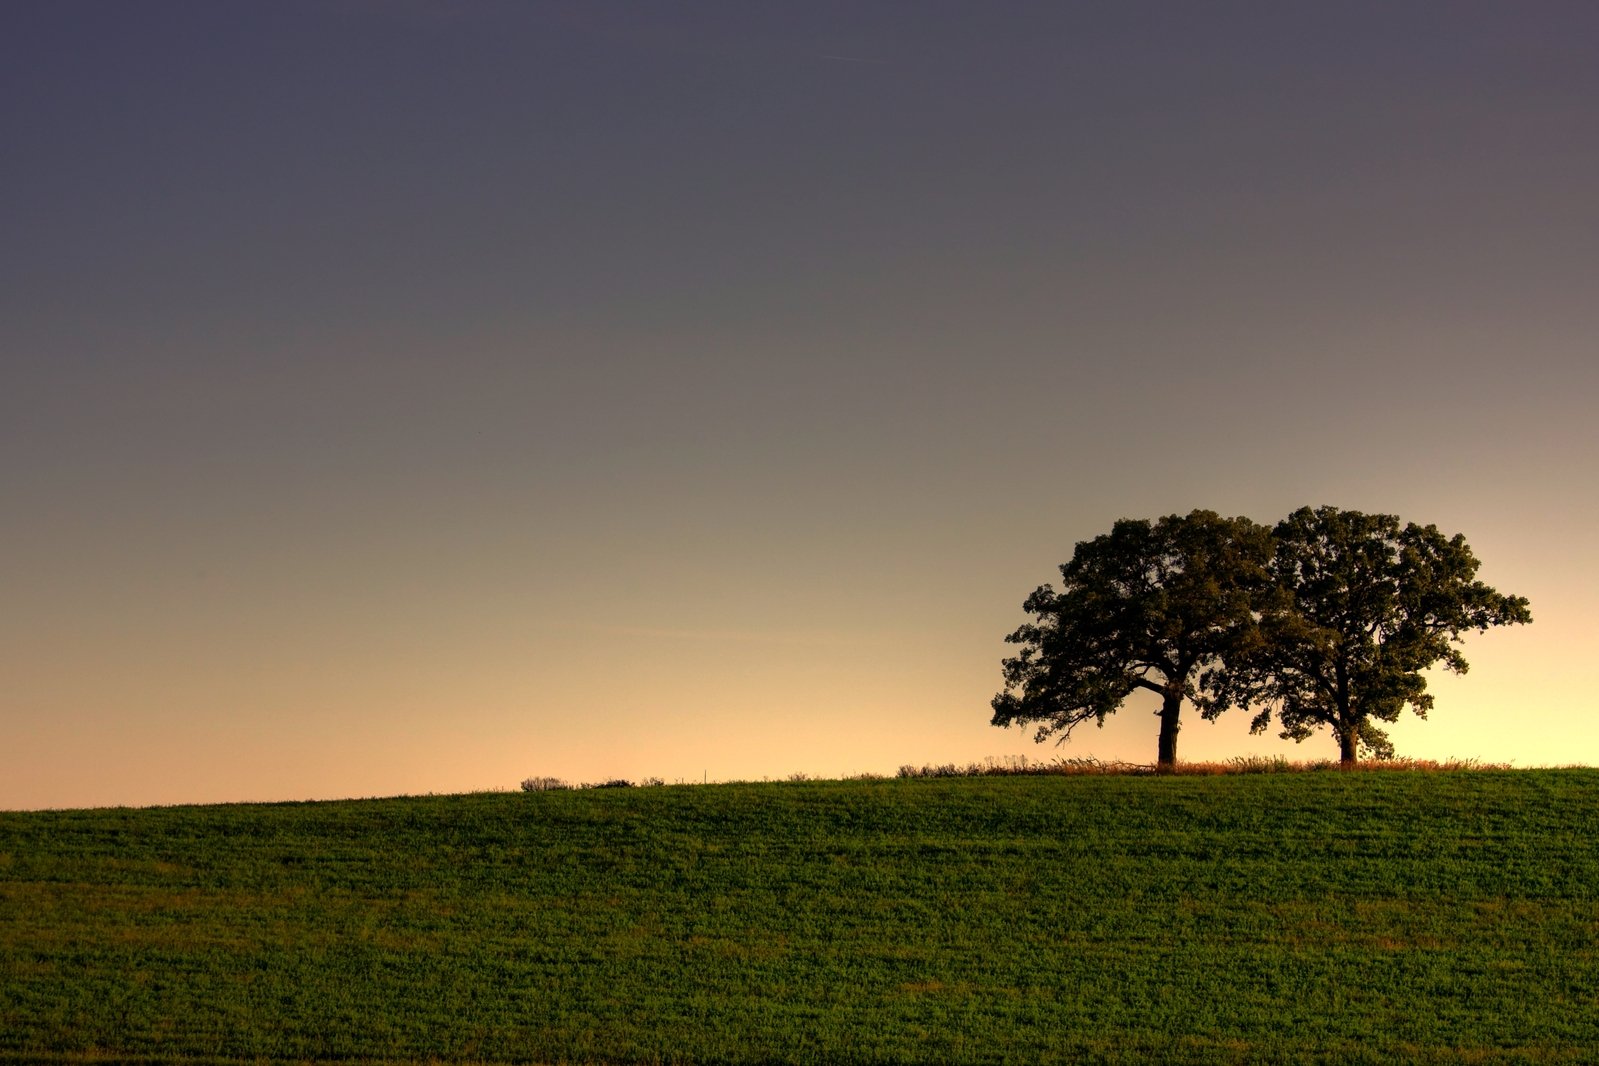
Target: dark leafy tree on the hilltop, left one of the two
1147, 607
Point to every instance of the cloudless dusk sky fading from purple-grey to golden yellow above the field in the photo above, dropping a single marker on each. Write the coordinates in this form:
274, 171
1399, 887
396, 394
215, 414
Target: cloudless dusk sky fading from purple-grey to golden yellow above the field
421, 396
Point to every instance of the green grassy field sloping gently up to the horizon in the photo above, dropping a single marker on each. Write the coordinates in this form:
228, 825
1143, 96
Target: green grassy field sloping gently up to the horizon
1421, 917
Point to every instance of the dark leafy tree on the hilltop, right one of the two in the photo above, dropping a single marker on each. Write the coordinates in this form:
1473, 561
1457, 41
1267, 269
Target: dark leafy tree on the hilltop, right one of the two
1363, 607
